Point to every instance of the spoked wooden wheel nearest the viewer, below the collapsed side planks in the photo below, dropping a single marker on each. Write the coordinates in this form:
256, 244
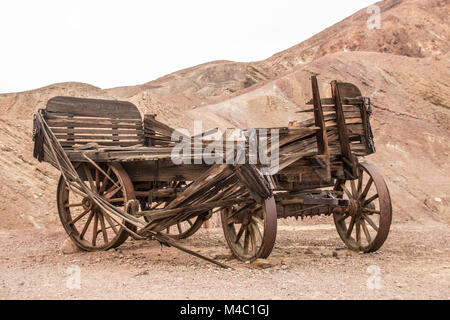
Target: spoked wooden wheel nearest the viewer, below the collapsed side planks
250, 229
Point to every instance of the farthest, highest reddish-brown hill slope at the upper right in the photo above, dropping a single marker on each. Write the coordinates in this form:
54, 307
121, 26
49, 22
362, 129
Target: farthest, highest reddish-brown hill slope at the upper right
413, 28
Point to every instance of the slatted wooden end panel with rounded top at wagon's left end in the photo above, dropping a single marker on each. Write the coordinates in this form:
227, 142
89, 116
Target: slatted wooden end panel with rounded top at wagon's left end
78, 121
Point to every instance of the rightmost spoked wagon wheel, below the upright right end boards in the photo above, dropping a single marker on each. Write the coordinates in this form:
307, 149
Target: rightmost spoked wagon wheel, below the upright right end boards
364, 225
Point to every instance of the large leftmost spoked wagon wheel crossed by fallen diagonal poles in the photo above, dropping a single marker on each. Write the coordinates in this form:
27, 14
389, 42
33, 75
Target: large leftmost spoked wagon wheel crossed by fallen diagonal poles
86, 224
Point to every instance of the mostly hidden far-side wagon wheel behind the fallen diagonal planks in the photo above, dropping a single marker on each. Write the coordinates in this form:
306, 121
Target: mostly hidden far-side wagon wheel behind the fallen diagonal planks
183, 229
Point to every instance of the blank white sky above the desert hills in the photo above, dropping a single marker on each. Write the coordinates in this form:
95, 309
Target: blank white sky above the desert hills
117, 43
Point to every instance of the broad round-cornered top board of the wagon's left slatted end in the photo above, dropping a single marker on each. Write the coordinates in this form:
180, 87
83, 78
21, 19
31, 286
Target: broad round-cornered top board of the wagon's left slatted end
93, 108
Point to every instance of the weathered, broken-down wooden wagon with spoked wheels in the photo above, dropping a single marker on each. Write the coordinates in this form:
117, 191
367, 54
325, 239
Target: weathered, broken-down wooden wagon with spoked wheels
119, 176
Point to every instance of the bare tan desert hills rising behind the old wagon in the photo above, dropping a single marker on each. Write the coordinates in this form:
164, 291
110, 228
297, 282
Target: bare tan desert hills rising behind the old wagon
404, 67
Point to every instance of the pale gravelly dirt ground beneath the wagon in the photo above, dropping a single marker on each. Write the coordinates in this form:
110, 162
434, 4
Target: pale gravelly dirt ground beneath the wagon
309, 262
